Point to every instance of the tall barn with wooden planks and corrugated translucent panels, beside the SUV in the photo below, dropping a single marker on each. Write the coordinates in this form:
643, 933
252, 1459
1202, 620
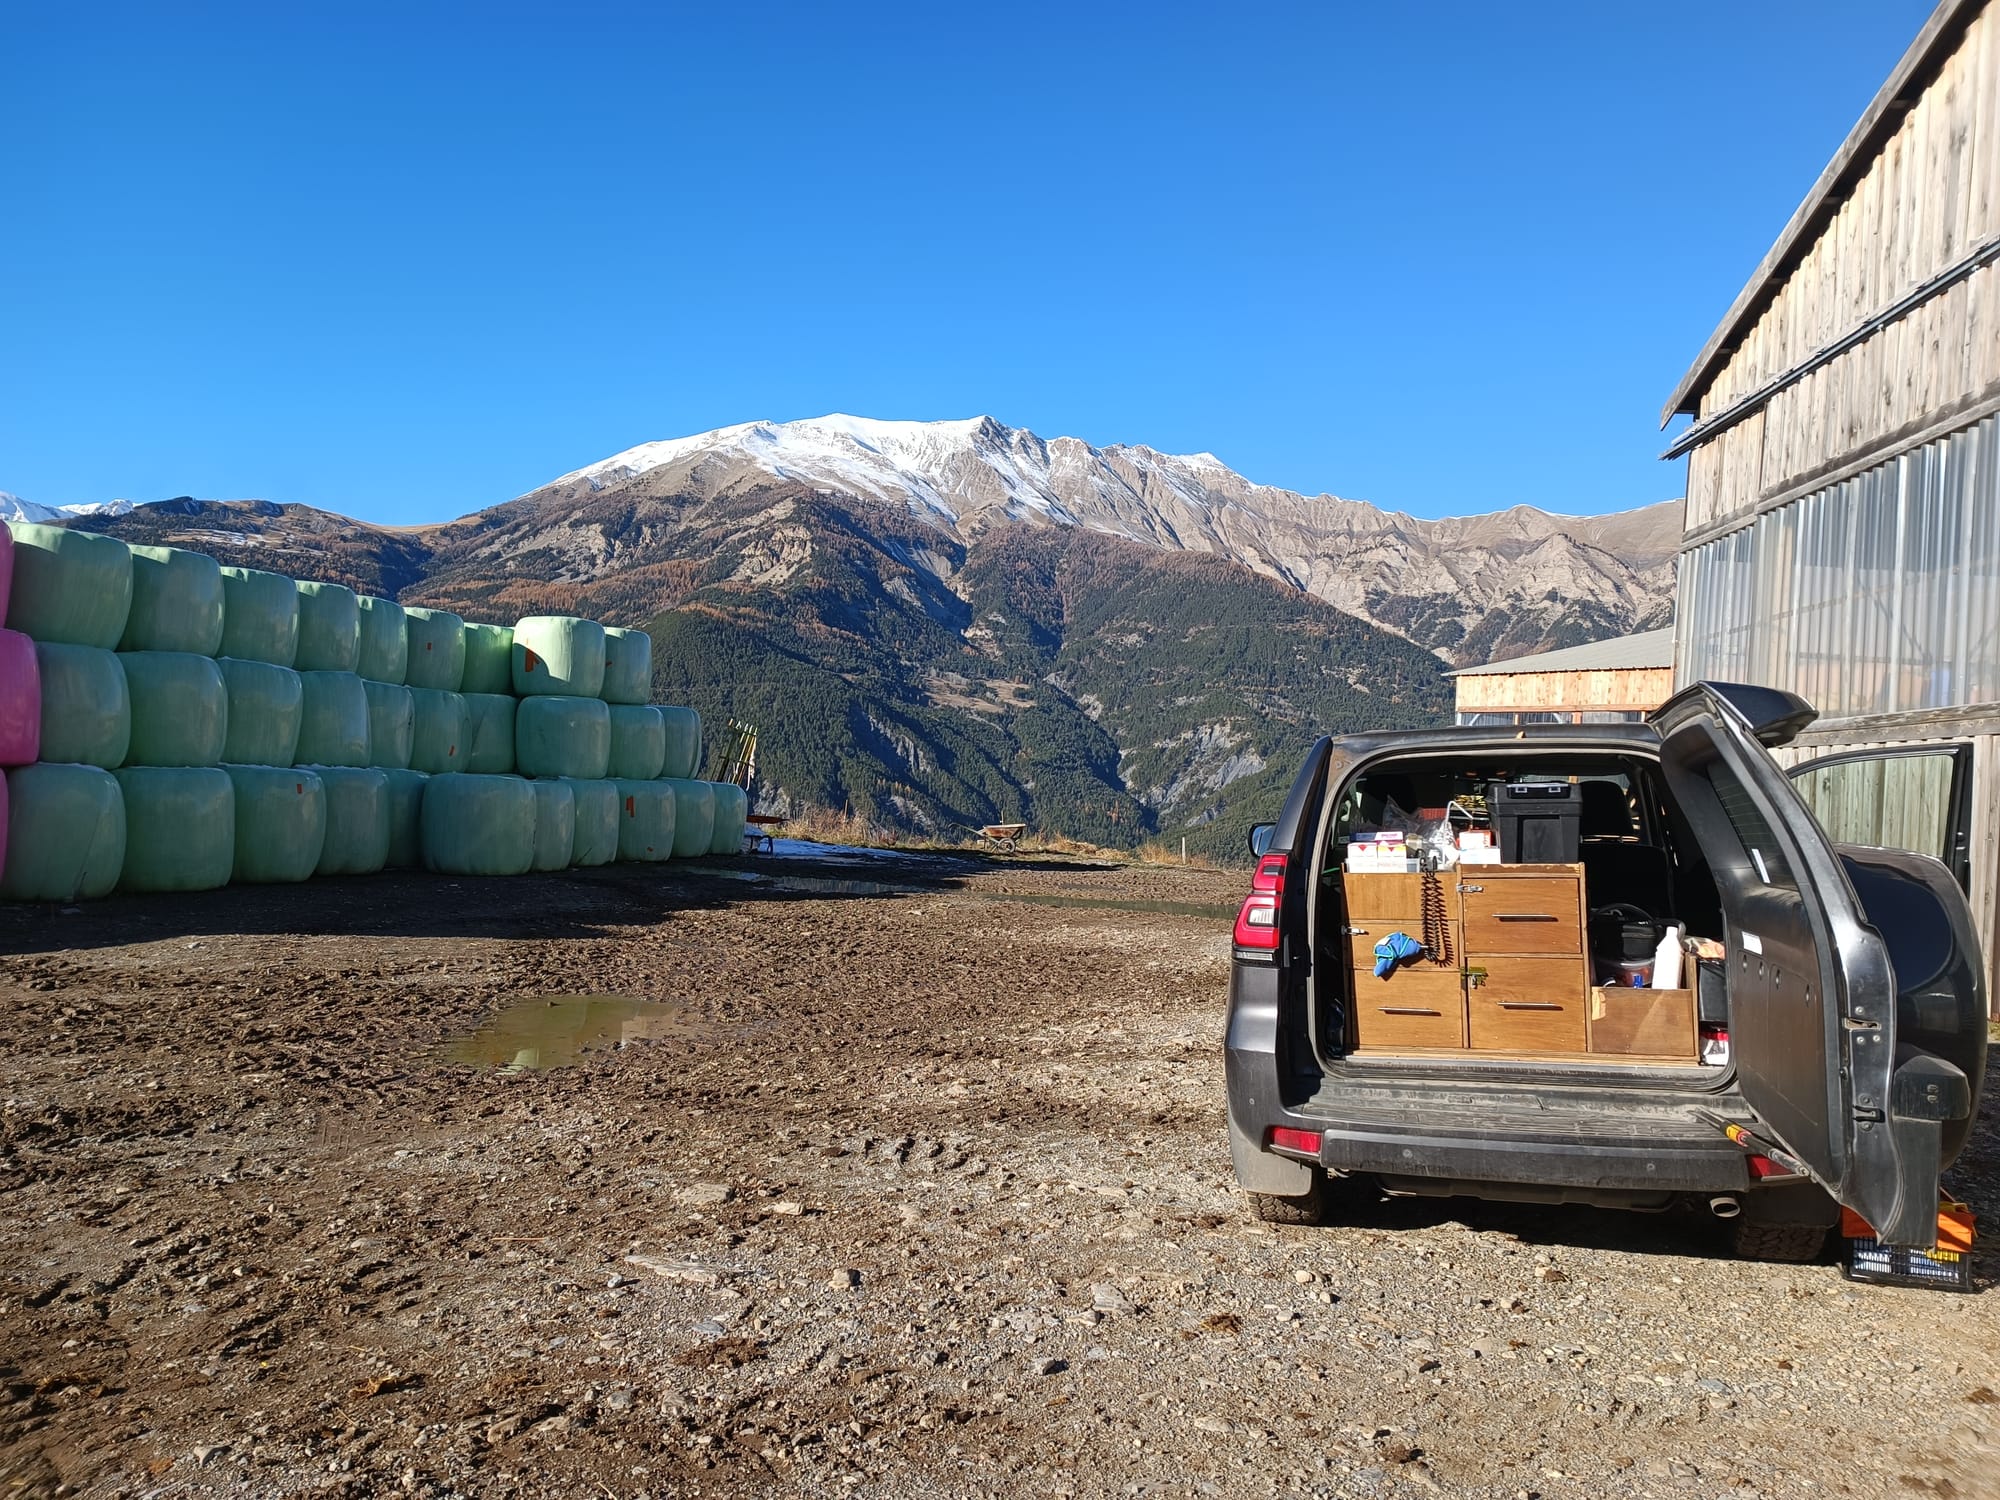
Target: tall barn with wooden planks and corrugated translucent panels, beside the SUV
1843, 527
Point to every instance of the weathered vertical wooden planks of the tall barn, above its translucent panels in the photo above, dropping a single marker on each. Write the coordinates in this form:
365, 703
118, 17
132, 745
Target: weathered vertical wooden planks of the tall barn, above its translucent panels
1929, 199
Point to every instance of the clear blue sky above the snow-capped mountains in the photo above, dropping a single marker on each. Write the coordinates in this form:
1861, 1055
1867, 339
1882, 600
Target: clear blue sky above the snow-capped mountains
411, 261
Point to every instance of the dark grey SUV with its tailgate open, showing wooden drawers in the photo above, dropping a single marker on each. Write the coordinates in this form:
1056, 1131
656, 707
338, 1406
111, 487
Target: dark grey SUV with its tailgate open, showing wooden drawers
1443, 983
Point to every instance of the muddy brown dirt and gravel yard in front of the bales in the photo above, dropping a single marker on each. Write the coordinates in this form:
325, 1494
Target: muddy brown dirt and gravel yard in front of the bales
913, 1189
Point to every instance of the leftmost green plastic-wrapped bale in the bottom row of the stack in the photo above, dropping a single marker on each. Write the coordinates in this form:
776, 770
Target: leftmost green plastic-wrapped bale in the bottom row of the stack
65, 835
